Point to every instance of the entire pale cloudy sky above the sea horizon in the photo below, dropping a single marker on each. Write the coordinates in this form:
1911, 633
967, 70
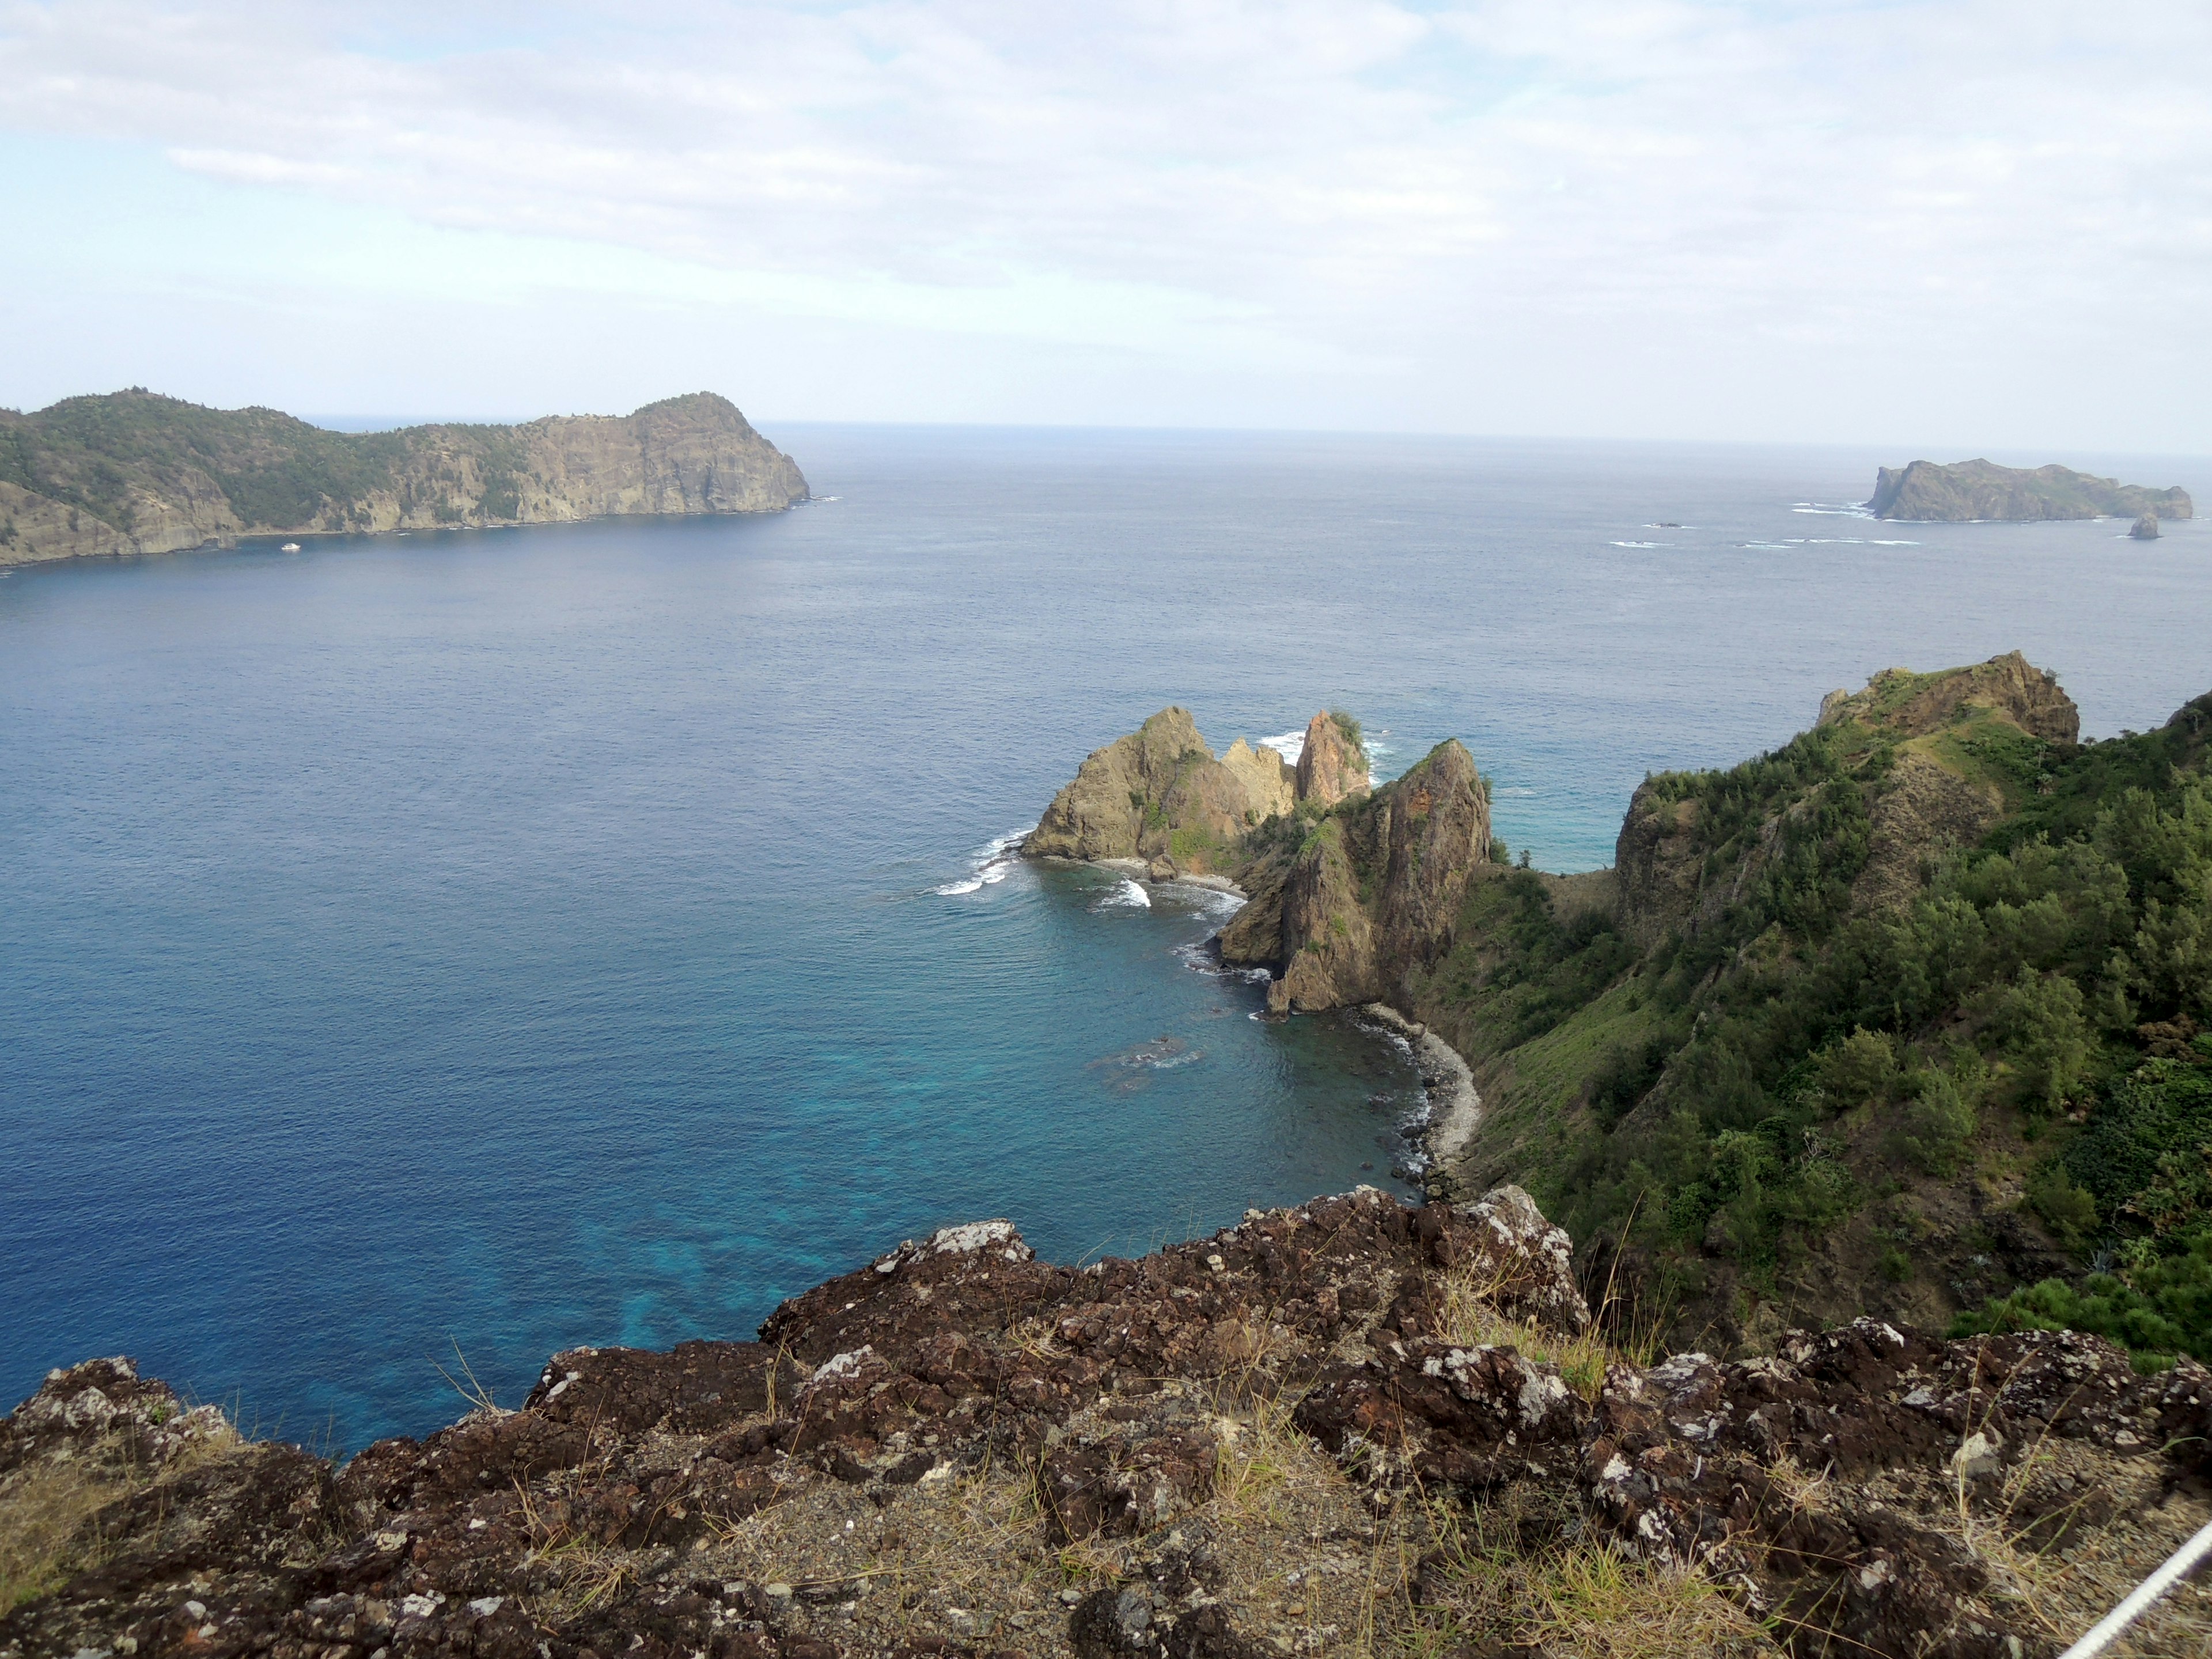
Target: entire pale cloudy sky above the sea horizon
1981, 225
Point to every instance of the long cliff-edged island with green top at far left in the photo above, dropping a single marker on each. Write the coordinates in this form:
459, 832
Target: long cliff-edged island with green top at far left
136, 472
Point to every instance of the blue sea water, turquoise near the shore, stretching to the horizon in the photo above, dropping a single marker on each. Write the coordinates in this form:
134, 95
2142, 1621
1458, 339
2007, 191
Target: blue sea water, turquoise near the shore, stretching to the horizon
563, 937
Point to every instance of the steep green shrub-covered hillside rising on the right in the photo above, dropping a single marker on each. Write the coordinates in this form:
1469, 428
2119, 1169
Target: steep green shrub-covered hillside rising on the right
1903, 1016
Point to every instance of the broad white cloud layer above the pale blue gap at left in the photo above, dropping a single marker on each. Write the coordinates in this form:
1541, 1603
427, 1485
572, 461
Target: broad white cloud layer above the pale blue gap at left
1687, 207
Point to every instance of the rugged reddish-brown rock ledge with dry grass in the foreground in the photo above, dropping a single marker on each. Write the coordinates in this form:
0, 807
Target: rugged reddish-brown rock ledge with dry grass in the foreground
1271, 1441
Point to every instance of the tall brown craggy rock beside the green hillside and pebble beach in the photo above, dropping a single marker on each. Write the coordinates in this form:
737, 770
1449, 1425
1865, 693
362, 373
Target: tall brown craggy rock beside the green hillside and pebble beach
1368, 895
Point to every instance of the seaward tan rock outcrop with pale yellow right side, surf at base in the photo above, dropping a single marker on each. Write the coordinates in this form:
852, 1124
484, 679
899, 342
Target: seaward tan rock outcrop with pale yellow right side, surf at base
1160, 795
